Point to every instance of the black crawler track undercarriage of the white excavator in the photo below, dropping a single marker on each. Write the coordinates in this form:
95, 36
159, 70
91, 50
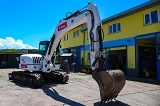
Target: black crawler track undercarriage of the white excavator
37, 79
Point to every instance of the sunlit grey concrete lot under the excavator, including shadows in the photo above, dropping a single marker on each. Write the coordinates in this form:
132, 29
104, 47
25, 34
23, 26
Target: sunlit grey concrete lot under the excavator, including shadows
81, 90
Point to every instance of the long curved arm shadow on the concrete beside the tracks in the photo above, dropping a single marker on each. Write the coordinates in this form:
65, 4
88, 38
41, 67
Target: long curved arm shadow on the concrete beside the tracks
55, 95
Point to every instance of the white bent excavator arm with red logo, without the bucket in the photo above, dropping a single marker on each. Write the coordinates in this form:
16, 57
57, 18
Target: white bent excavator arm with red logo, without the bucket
88, 14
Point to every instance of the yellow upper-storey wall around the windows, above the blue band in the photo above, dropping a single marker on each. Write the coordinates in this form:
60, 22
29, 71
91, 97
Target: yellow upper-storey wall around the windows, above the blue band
132, 25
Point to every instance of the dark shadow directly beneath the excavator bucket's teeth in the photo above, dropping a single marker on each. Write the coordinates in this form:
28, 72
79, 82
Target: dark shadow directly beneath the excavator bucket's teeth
112, 103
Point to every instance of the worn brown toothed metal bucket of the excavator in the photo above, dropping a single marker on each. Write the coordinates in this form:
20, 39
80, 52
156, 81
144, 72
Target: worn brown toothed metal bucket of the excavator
110, 83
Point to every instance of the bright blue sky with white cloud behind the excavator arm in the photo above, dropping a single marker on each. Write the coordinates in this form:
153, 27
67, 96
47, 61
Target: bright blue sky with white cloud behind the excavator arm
24, 23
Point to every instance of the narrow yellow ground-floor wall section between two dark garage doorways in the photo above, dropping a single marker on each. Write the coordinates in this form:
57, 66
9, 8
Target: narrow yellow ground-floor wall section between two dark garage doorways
131, 56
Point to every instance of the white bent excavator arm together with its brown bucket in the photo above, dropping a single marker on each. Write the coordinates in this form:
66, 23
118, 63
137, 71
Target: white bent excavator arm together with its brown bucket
110, 82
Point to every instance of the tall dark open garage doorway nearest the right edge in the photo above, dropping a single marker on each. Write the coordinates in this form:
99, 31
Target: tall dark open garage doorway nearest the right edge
147, 57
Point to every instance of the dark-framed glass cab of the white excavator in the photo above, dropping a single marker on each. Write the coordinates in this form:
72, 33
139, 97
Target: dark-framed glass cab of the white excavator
43, 46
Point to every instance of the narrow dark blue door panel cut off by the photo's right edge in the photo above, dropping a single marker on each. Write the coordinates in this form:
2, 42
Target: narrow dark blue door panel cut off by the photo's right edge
158, 56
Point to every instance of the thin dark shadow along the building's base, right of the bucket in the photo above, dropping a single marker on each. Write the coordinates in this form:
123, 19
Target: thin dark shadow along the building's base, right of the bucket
144, 80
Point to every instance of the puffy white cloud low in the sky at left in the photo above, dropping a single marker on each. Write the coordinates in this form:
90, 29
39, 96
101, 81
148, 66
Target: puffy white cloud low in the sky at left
11, 43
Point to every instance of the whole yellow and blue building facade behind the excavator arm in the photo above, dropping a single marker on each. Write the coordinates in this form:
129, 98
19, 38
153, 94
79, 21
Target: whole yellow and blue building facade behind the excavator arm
131, 41
